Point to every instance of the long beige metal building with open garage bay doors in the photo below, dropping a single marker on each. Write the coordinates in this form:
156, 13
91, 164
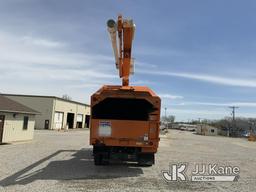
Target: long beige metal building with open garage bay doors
55, 112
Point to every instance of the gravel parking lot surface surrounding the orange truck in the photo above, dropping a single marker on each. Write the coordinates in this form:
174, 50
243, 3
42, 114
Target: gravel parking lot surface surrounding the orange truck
62, 161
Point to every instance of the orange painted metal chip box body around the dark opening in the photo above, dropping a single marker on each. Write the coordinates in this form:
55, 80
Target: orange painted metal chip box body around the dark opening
127, 133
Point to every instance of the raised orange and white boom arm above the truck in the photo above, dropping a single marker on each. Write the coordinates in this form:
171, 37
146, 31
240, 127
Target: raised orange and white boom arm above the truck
124, 62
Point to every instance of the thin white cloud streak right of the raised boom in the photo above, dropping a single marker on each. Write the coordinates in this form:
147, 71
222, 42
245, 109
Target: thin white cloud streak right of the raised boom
230, 81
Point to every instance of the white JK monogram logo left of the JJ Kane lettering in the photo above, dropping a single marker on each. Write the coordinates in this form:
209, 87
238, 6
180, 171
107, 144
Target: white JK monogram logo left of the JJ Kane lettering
176, 172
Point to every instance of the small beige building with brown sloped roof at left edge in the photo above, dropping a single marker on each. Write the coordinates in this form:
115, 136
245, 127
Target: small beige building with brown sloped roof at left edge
17, 121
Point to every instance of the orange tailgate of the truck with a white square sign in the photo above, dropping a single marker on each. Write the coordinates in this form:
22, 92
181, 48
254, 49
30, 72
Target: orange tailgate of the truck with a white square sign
123, 132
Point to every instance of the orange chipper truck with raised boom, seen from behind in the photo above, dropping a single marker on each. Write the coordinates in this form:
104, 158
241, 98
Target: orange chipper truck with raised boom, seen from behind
125, 119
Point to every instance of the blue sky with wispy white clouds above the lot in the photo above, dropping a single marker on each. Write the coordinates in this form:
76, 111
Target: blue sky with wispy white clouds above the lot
199, 56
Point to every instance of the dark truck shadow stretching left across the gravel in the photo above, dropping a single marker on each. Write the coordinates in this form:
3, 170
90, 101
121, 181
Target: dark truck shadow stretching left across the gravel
79, 166
